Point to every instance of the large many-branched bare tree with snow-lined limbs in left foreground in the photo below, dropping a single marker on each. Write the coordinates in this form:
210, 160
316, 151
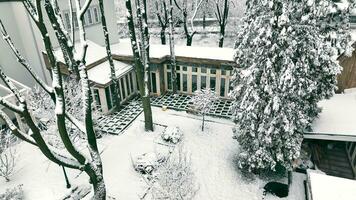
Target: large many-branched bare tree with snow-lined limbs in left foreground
73, 157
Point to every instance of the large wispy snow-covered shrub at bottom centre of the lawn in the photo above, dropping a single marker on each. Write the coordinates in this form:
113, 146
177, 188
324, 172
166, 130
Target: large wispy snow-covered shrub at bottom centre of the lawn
175, 178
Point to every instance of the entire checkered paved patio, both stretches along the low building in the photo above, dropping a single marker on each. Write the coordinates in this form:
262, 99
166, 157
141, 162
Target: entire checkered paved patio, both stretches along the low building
118, 121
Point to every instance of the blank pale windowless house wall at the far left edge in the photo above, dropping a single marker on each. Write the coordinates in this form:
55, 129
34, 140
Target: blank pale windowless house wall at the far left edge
18, 27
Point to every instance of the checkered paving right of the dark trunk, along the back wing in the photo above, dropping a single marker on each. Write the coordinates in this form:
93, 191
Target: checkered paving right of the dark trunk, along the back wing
220, 108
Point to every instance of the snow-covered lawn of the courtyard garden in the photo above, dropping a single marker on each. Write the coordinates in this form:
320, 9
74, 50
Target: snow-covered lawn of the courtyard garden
213, 154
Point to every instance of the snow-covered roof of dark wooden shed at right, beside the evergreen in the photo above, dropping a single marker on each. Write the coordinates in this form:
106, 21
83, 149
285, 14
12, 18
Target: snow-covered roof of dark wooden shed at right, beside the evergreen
337, 120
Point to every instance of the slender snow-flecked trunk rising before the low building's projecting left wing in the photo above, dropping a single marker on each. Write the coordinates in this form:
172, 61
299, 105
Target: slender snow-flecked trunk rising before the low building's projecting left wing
113, 76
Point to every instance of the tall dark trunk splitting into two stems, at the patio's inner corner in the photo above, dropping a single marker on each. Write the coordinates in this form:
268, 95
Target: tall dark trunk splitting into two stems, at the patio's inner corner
141, 60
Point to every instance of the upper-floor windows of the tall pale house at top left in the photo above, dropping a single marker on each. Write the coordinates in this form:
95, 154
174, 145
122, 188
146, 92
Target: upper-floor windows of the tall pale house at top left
92, 16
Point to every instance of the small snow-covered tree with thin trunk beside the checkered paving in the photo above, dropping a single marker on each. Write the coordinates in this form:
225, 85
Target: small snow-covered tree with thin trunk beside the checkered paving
203, 100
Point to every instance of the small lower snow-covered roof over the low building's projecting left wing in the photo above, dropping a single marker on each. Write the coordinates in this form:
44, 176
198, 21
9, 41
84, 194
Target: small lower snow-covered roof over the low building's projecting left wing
100, 74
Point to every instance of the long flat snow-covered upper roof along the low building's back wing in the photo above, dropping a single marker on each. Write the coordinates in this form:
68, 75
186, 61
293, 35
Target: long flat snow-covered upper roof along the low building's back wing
162, 51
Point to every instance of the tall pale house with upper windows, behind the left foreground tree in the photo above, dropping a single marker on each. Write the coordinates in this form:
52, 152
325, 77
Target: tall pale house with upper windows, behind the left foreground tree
28, 40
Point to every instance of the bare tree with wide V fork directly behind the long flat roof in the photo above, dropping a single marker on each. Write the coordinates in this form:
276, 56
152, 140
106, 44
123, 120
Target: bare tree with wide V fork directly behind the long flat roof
183, 9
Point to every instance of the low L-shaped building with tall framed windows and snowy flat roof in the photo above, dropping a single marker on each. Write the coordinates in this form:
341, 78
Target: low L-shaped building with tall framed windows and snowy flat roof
197, 68
